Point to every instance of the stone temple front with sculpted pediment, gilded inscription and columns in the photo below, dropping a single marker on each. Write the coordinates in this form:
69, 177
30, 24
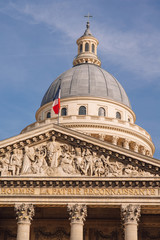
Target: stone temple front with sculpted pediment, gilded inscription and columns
81, 174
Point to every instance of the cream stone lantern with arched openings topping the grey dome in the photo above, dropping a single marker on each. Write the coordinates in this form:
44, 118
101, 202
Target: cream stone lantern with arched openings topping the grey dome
87, 48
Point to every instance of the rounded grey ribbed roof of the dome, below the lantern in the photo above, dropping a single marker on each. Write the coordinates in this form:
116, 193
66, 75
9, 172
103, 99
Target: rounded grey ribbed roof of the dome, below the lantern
87, 80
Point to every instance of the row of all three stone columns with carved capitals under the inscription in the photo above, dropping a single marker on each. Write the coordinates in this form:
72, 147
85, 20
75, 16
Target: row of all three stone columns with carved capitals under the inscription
129, 214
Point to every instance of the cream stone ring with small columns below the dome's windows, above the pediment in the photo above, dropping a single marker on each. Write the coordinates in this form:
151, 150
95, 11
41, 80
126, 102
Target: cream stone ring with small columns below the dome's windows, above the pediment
138, 139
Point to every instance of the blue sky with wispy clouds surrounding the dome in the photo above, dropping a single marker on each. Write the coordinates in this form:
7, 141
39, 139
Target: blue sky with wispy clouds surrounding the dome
38, 42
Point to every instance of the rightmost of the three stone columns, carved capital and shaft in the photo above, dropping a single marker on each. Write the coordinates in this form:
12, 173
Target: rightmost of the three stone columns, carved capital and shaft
130, 218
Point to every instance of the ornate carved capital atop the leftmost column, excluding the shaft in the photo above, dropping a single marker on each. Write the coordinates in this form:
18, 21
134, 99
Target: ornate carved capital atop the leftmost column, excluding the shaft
24, 212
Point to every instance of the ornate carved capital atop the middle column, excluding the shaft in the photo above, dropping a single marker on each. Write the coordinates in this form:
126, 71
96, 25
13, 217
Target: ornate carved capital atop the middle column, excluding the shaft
77, 212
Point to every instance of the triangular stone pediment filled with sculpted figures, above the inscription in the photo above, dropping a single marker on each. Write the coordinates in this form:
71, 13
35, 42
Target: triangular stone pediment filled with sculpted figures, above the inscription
61, 152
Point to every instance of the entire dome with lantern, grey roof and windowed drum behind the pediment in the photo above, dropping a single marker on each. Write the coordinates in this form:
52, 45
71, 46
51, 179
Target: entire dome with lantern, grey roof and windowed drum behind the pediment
93, 102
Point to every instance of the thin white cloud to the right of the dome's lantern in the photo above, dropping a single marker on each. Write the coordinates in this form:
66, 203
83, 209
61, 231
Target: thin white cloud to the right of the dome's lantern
133, 51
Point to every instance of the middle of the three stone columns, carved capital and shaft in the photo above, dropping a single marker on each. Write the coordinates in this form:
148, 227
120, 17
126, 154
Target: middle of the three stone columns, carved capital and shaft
77, 214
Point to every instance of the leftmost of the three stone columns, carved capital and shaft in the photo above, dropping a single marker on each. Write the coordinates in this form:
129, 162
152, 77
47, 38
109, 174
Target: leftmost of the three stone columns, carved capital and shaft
24, 213
